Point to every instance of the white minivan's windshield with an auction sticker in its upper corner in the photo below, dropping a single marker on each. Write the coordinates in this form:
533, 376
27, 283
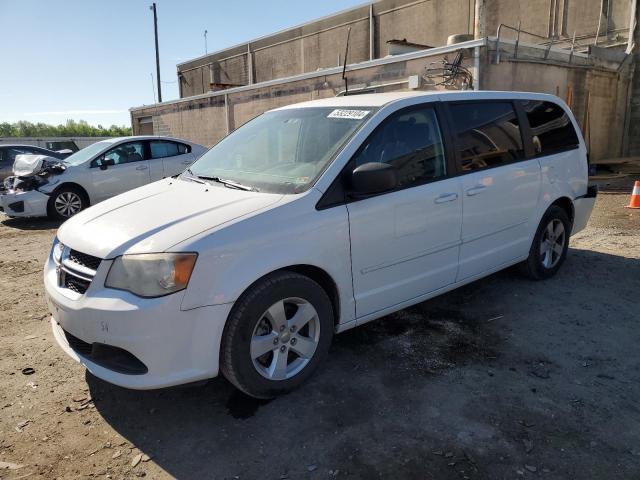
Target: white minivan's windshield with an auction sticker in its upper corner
283, 151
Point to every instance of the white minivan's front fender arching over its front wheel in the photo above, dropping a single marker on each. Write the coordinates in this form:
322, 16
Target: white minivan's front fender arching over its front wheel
231, 259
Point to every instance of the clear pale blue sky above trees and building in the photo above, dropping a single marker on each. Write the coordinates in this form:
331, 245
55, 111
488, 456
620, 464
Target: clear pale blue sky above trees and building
93, 60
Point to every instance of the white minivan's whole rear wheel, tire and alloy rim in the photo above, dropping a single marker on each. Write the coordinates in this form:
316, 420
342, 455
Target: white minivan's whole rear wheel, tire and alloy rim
550, 244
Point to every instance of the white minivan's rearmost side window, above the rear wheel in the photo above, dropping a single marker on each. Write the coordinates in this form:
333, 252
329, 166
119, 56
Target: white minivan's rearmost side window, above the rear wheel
551, 128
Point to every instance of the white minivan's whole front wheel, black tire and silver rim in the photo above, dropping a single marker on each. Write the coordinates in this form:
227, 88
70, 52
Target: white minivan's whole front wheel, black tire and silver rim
277, 335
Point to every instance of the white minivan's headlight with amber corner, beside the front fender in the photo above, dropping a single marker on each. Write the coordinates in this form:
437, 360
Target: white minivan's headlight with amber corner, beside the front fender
151, 274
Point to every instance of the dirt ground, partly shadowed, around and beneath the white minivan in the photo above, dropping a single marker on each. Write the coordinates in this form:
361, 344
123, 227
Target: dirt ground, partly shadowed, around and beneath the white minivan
504, 378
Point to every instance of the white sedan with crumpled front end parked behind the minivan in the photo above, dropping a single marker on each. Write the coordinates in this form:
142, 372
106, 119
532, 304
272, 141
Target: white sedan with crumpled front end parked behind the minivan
62, 188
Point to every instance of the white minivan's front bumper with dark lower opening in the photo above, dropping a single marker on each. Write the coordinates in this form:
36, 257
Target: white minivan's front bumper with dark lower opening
175, 346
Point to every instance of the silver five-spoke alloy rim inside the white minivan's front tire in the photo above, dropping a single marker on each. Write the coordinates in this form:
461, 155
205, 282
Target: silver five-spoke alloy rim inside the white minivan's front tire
285, 338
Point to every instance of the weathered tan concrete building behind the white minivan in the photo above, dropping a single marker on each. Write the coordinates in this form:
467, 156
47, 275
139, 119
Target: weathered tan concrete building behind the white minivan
580, 50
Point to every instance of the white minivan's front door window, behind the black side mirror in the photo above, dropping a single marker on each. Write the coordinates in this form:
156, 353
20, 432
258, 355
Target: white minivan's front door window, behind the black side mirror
411, 142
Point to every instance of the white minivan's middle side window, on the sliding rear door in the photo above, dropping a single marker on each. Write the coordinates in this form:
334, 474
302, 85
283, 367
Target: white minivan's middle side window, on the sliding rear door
488, 134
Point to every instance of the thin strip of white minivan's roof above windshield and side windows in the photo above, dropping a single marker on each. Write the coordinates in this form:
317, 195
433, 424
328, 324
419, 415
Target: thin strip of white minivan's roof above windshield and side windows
380, 99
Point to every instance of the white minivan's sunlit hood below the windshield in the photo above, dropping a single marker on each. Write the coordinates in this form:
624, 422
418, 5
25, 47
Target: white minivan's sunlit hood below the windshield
157, 216
